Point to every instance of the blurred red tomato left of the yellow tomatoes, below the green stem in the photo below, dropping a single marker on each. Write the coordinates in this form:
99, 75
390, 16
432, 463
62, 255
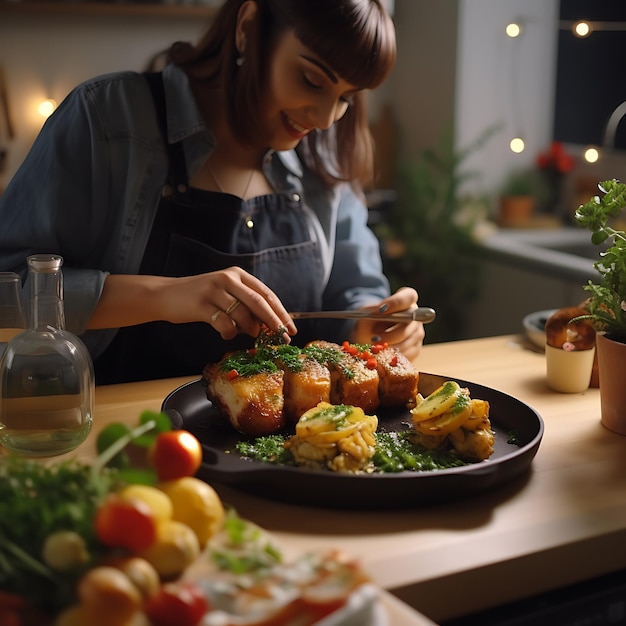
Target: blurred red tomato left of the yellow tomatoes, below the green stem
125, 523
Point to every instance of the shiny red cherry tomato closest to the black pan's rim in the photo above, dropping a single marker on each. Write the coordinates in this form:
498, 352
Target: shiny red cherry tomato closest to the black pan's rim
175, 454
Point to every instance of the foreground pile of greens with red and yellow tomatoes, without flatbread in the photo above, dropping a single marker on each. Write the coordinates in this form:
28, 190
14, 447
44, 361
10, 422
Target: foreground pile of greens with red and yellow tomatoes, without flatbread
102, 538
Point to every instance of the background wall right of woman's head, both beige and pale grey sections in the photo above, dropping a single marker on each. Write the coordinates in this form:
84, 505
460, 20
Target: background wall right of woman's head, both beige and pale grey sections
457, 66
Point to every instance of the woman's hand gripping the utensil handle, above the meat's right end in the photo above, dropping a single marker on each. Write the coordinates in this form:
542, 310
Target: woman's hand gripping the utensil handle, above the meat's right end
407, 338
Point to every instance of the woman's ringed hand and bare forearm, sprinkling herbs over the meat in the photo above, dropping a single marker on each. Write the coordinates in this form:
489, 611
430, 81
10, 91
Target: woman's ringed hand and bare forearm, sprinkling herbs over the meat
231, 300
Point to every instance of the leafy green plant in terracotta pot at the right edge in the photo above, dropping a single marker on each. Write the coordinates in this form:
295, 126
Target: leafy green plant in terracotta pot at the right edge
607, 301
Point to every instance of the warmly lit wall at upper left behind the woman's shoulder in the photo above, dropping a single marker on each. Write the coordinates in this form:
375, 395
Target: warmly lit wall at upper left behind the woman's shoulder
45, 56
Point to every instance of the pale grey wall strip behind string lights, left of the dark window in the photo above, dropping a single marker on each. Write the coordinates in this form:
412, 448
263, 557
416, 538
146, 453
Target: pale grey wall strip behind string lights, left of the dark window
505, 81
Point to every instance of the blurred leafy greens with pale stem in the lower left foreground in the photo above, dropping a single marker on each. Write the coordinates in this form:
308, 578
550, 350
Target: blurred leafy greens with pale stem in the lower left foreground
38, 499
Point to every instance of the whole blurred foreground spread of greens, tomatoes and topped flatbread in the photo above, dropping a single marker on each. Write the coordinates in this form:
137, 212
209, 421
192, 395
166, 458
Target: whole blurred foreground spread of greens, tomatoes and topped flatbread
146, 543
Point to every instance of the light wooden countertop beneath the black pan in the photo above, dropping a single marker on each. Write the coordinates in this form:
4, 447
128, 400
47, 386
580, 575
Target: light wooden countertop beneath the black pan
564, 522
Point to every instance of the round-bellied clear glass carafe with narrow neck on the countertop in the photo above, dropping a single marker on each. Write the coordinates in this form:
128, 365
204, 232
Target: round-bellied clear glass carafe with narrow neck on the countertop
46, 373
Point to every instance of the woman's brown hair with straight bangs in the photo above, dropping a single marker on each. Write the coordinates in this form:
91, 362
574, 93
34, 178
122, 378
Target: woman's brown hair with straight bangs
355, 38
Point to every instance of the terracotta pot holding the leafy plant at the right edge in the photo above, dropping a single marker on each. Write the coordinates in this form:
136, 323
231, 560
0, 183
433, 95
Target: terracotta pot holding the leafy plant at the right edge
612, 374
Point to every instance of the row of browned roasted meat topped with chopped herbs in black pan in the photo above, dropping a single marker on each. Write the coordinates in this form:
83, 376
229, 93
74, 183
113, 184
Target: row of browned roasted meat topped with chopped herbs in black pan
262, 389
